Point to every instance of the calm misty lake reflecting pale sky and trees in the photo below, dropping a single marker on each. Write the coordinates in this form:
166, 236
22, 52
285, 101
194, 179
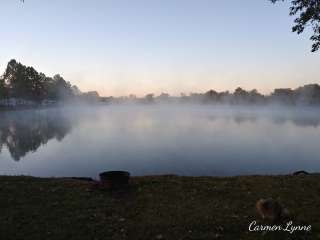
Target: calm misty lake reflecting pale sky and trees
159, 139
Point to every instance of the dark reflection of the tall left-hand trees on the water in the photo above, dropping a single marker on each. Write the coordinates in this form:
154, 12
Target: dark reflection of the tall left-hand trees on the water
25, 131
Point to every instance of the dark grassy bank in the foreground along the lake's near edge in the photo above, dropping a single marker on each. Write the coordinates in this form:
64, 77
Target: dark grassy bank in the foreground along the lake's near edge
159, 207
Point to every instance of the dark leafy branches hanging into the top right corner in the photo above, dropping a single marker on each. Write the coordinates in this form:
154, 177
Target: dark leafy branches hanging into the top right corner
309, 15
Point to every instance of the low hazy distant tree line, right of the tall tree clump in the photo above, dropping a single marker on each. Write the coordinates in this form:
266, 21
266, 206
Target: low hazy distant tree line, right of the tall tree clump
307, 95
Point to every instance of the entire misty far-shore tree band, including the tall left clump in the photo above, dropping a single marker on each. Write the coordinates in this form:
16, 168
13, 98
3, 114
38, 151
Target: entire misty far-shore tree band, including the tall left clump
23, 86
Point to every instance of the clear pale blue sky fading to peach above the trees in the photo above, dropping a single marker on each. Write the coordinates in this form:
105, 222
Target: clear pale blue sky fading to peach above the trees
122, 47
